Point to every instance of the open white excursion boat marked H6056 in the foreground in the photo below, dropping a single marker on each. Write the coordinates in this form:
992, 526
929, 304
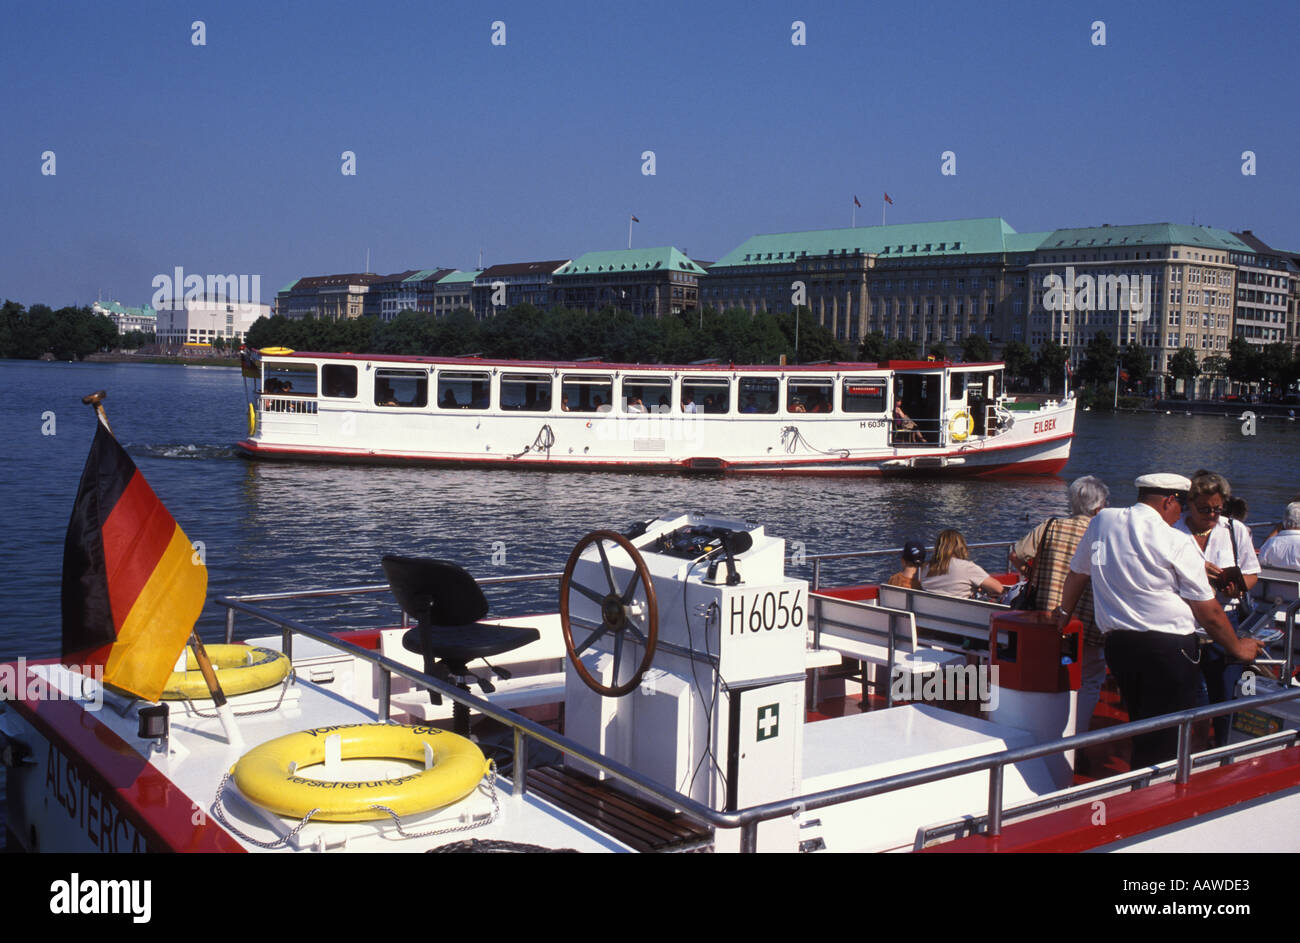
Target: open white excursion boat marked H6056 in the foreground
670, 706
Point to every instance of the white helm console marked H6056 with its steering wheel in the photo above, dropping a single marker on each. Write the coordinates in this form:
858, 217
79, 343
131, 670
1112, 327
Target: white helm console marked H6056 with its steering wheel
717, 710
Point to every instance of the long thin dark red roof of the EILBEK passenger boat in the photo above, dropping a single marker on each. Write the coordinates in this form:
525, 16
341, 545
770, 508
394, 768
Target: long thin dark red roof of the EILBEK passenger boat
831, 366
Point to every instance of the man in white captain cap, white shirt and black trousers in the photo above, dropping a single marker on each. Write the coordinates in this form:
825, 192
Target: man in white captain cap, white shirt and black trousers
1150, 591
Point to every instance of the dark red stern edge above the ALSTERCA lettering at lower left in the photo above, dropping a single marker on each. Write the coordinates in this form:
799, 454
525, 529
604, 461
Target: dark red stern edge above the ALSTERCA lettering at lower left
154, 804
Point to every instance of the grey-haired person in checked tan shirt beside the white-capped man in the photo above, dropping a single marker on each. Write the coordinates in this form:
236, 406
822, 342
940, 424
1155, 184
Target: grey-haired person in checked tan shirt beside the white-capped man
1043, 556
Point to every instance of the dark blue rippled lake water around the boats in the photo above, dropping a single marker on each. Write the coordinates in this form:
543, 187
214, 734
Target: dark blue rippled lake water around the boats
280, 527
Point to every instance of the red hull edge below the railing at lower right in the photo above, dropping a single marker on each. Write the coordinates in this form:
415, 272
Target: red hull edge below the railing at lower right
1134, 814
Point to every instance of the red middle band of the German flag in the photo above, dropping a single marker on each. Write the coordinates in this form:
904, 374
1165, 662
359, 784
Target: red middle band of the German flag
136, 534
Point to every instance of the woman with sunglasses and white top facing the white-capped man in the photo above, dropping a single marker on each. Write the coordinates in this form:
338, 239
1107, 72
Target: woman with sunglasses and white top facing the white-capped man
1227, 547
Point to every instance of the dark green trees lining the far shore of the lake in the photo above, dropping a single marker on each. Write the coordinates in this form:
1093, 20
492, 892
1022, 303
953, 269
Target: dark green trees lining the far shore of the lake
735, 336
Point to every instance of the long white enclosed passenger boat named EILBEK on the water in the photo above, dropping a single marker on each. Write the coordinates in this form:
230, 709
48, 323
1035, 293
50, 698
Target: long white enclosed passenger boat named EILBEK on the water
896, 418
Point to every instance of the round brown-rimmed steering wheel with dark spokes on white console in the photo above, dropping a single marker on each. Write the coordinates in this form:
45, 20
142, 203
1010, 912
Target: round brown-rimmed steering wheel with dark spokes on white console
621, 615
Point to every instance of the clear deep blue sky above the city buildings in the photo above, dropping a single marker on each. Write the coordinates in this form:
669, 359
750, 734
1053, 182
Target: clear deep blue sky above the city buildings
227, 158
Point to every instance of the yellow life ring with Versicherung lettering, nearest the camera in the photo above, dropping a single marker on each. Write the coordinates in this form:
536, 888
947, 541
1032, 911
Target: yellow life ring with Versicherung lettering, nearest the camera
267, 775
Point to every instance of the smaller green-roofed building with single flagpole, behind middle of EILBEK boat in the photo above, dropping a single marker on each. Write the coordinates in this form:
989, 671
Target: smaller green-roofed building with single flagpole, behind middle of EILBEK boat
649, 283
